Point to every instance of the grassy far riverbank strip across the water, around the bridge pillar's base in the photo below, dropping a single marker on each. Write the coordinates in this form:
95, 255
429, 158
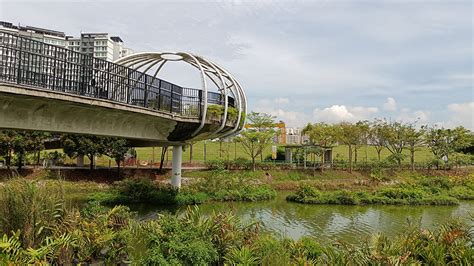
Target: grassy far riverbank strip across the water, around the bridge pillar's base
327, 187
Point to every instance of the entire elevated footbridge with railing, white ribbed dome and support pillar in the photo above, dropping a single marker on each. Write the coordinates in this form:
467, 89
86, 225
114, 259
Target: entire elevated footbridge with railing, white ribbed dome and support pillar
48, 88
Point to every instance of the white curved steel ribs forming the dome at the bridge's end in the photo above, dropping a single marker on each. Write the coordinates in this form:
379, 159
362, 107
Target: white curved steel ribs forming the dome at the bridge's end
223, 80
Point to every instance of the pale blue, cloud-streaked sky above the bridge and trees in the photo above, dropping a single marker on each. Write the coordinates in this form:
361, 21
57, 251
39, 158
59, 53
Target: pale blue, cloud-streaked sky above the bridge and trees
302, 61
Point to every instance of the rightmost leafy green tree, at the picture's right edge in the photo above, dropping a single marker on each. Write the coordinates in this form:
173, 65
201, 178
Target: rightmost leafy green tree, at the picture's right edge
444, 142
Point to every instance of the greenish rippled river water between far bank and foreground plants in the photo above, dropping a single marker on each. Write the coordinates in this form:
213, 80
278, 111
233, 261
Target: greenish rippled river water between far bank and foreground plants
328, 222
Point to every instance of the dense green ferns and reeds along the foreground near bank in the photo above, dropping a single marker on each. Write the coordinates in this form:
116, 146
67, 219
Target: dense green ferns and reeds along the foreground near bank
38, 228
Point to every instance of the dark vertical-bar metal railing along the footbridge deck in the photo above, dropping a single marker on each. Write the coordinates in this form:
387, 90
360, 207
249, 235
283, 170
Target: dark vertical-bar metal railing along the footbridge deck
30, 62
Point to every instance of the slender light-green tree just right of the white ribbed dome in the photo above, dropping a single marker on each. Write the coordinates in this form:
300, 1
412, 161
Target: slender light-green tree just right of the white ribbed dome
258, 136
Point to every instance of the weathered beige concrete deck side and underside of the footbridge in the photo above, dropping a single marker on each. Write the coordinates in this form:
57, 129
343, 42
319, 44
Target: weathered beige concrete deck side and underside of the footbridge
26, 108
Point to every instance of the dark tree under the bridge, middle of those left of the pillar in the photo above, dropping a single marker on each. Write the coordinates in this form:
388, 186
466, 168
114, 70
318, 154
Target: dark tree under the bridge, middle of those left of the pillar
77, 145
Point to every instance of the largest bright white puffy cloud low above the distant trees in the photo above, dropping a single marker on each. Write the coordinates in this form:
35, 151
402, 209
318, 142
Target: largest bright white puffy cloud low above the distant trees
339, 113
